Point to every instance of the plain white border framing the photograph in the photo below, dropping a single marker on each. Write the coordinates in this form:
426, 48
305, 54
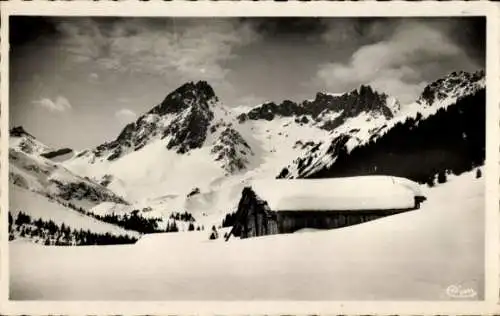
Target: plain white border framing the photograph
227, 9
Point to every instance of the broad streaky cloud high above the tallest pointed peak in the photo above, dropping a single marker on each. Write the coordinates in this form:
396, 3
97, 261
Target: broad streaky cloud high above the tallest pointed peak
193, 50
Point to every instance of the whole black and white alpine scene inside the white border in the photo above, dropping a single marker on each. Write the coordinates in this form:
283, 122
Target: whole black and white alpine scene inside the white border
259, 158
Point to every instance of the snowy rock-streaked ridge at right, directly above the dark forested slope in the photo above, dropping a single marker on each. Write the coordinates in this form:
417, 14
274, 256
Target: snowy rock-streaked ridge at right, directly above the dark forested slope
436, 96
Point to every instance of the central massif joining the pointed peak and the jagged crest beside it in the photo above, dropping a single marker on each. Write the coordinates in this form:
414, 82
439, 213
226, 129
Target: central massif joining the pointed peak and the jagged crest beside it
191, 132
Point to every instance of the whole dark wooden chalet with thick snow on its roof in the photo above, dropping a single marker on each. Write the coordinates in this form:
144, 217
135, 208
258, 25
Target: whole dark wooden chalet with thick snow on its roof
285, 206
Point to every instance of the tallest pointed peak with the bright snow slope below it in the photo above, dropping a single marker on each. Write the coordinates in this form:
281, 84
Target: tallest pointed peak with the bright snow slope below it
184, 142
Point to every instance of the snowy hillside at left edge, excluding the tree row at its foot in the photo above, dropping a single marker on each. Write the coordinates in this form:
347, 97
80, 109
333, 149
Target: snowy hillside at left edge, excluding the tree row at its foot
43, 189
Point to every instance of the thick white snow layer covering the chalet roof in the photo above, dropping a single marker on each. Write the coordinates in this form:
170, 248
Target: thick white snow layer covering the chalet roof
350, 193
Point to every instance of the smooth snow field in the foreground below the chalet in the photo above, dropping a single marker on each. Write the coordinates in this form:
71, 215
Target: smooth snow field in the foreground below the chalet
411, 256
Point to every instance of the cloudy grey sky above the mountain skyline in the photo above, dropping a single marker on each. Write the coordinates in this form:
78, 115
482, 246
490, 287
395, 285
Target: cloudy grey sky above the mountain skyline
77, 81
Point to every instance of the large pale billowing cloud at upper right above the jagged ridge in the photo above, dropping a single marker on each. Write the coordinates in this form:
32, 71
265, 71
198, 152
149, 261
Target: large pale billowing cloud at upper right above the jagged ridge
395, 64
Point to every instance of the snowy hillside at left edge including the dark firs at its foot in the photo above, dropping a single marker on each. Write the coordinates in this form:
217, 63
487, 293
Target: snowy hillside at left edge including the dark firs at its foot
49, 204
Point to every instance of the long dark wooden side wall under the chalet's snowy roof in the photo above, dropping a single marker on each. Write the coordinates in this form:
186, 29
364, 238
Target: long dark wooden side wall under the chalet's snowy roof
291, 221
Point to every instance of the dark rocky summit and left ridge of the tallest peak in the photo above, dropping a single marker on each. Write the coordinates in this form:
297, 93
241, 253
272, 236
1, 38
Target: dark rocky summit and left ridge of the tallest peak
182, 119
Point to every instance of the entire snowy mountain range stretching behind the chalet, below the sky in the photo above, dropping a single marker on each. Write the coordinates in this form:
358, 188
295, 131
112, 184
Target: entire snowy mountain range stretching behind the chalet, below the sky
192, 153
